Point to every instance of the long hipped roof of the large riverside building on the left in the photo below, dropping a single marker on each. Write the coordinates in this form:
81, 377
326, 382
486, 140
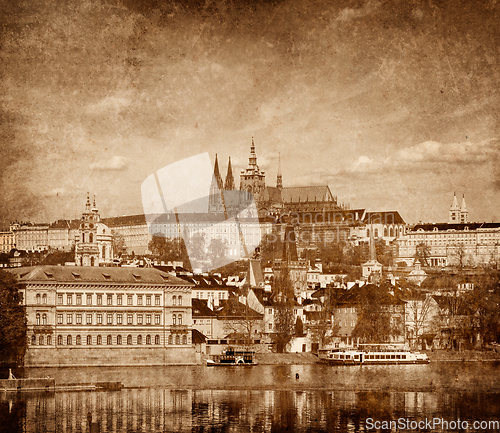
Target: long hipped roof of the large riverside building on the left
96, 274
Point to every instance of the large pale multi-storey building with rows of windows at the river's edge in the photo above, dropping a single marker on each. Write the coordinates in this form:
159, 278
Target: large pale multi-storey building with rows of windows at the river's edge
87, 315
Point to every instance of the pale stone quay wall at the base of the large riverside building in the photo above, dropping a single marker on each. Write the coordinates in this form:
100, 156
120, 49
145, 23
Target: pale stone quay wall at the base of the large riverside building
108, 357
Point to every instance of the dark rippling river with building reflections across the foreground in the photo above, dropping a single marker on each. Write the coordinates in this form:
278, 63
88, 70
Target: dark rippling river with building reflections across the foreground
262, 398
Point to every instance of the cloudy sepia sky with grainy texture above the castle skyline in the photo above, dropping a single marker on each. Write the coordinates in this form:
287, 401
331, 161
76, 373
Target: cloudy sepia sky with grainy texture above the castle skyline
395, 105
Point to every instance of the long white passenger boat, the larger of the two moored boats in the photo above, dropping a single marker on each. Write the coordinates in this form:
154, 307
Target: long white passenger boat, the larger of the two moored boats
372, 354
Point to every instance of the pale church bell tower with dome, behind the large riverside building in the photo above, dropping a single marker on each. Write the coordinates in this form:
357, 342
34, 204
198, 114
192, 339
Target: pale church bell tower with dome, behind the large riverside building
94, 240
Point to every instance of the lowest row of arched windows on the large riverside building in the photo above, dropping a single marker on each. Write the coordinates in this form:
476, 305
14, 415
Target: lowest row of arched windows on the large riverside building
47, 340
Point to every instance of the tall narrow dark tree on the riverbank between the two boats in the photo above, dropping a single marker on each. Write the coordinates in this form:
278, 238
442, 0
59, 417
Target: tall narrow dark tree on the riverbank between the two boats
284, 319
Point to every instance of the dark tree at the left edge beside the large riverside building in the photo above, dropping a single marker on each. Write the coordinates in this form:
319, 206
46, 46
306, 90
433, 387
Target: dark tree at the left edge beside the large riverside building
13, 339
